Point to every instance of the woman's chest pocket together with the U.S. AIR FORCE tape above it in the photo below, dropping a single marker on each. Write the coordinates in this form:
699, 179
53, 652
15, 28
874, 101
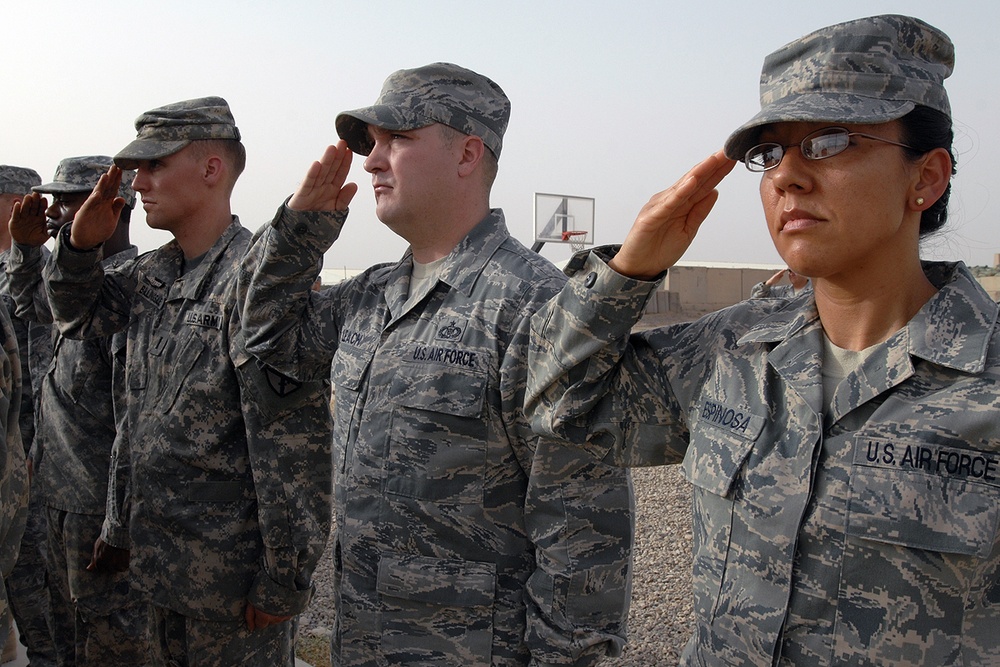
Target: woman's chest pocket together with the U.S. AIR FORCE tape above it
919, 539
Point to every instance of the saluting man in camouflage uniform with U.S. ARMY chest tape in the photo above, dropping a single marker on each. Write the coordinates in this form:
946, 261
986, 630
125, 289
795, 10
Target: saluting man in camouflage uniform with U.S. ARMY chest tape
225, 525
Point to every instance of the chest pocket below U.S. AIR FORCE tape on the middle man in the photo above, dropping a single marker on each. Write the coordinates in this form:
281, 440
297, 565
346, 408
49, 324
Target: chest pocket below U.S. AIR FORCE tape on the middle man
438, 436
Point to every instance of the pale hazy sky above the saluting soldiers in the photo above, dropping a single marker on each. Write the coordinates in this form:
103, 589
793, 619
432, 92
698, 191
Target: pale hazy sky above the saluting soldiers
611, 100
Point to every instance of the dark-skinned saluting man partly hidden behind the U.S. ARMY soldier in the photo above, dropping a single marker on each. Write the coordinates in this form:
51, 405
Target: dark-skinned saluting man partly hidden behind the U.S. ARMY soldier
97, 617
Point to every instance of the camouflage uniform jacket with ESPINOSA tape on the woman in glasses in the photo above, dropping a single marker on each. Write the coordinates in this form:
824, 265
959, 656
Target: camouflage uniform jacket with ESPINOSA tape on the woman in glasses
864, 536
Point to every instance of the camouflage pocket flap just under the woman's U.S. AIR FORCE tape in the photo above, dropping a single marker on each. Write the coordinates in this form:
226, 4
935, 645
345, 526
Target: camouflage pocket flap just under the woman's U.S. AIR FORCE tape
923, 511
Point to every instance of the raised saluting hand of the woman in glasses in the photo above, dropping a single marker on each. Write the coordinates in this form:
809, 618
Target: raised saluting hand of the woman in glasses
667, 224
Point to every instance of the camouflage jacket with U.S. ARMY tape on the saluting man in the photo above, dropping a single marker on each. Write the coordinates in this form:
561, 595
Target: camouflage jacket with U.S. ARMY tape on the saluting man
213, 501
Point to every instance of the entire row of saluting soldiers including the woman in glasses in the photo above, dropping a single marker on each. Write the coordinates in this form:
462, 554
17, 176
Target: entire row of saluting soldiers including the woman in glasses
485, 407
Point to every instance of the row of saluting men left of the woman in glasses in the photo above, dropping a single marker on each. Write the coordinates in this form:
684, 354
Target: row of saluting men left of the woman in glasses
184, 423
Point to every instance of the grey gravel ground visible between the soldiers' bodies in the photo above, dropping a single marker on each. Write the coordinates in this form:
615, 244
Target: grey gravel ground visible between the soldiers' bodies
660, 616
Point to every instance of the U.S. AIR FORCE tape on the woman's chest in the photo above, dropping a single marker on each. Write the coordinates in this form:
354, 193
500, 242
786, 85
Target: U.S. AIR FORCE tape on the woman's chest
933, 459
